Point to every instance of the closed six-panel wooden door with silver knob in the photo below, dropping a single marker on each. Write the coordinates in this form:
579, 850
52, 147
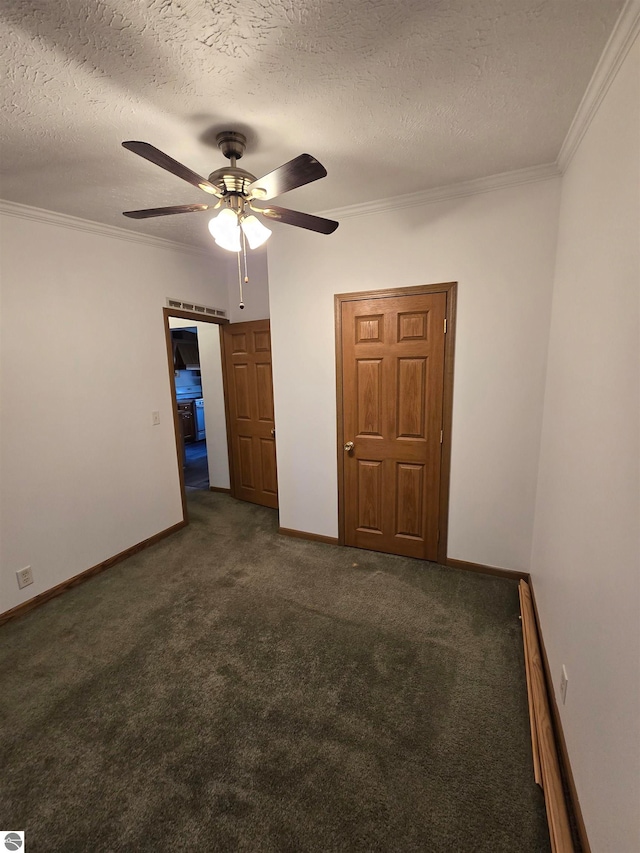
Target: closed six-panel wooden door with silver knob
393, 356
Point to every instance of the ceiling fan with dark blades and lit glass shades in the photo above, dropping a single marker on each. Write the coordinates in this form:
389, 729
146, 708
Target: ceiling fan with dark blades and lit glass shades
239, 193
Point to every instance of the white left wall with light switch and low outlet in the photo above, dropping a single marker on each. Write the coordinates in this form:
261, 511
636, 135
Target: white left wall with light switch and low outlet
84, 473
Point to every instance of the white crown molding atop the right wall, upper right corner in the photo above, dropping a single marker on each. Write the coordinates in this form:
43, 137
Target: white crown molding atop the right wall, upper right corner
620, 41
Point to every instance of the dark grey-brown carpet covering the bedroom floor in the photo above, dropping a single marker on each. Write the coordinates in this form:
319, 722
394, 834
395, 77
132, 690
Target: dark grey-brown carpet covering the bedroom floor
230, 689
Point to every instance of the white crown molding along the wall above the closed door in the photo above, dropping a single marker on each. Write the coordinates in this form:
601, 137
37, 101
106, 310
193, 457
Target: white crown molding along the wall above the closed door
474, 187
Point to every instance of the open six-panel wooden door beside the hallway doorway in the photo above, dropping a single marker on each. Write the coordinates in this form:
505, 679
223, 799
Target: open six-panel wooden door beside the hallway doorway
250, 420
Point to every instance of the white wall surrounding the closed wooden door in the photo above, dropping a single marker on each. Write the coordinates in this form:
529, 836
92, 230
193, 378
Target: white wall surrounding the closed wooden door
500, 247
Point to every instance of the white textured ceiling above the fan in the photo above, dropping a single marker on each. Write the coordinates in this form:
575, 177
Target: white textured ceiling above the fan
392, 97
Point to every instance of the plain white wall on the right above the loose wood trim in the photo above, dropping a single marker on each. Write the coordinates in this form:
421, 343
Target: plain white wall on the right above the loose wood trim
586, 559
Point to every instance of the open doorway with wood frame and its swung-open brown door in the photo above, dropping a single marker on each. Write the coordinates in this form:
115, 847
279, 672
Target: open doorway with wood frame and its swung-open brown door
233, 385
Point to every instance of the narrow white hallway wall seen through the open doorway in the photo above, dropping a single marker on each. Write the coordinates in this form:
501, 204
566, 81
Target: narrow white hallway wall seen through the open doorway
213, 396
